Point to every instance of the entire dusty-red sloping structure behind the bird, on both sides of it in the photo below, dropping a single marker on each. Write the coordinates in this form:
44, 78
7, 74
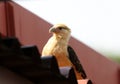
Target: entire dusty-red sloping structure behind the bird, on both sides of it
32, 30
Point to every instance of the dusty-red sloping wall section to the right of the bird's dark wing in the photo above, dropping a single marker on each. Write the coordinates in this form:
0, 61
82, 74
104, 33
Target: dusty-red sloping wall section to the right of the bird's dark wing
99, 68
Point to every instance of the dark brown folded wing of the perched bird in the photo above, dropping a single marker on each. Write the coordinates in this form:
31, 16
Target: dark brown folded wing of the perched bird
75, 61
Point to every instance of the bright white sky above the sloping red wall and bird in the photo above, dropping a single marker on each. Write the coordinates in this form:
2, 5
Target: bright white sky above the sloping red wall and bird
94, 22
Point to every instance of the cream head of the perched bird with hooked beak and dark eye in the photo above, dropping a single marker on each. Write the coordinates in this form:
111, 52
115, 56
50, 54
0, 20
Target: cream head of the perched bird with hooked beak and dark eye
60, 30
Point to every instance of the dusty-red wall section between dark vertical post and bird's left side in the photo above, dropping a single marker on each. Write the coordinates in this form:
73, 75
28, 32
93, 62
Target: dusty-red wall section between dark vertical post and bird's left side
30, 29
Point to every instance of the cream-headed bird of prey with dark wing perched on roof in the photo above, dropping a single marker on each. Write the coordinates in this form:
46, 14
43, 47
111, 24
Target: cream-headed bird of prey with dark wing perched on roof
58, 46
